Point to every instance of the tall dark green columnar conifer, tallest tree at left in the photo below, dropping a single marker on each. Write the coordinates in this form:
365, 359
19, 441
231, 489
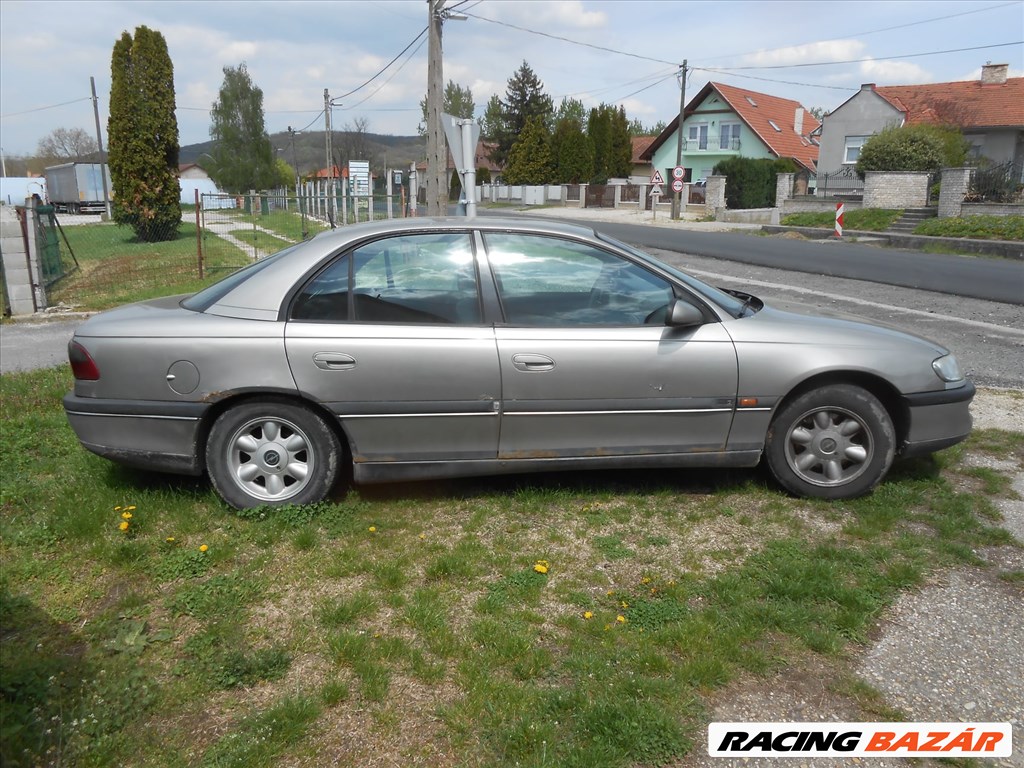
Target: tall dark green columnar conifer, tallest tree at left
143, 133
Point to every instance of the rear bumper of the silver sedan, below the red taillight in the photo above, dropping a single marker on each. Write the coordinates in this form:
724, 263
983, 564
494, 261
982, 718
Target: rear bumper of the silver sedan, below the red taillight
154, 436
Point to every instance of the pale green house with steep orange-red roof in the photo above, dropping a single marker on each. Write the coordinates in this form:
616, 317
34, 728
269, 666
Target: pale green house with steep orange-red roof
723, 122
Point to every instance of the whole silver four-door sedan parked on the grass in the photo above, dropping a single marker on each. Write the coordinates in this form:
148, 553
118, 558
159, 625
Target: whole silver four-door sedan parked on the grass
426, 349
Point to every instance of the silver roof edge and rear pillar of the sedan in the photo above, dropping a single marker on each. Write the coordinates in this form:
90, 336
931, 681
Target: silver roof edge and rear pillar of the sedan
261, 297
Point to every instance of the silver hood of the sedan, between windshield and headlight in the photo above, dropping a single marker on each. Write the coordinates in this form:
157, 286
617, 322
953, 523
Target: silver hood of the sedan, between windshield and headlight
796, 323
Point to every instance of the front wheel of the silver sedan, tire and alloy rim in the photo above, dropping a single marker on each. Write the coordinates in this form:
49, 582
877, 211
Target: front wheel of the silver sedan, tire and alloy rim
834, 443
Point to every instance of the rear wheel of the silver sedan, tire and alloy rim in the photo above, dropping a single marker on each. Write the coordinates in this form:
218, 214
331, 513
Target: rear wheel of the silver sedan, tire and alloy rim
272, 452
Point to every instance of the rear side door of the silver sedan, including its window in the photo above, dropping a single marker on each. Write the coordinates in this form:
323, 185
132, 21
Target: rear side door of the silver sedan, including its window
391, 338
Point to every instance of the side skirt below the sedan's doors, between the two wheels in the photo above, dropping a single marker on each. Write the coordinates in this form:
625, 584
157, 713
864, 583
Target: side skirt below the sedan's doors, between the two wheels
378, 473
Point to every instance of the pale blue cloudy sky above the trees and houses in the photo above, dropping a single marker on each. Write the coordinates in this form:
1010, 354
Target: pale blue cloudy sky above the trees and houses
615, 52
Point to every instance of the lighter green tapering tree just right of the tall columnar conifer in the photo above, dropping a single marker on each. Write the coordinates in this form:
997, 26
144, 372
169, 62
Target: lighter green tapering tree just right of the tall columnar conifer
243, 157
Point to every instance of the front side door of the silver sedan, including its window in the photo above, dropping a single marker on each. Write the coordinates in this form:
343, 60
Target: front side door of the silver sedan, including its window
589, 367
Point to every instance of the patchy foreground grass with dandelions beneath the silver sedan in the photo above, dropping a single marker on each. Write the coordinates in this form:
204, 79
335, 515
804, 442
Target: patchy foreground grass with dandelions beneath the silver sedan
580, 620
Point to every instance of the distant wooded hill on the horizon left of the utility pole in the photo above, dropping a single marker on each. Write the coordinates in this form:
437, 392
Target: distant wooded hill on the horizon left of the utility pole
311, 152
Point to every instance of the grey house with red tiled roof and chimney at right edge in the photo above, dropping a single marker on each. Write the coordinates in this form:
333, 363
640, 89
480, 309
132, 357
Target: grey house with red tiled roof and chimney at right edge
990, 112
